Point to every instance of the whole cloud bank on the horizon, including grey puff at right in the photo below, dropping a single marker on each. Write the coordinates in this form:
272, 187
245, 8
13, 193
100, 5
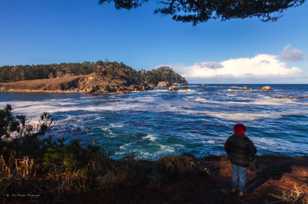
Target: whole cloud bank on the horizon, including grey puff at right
262, 68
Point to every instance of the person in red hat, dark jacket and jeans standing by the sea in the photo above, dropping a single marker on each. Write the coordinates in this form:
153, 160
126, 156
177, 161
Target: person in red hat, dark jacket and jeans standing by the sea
241, 151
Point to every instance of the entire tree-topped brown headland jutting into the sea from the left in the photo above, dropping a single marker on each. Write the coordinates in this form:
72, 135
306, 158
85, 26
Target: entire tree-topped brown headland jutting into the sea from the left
96, 78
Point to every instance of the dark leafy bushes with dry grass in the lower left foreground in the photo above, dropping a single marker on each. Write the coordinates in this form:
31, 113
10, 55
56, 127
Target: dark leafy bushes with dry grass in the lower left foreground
25, 155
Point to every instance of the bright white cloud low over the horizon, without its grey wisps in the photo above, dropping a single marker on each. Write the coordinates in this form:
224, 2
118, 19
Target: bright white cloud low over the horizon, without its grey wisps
263, 67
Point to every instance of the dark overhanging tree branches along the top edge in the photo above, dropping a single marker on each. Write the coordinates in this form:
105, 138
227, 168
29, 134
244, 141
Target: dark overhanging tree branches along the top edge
197, 11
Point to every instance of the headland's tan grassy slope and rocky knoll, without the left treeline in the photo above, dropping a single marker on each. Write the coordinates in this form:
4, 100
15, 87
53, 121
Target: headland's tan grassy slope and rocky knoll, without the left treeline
106, 77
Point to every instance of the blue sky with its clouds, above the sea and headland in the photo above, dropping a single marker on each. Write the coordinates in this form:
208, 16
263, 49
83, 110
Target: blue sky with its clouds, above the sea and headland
54, 31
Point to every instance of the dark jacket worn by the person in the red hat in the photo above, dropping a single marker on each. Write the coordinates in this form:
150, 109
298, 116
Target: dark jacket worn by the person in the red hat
240, 150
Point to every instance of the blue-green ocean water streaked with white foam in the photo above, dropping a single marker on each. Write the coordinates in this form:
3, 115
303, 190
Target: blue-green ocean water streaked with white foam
156, 123
